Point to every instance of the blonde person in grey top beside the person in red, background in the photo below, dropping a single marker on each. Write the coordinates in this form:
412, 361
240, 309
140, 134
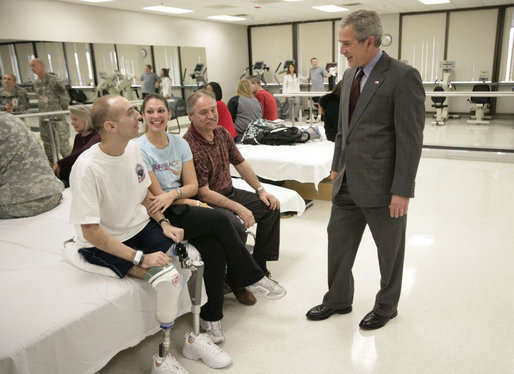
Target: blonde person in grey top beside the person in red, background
244, 107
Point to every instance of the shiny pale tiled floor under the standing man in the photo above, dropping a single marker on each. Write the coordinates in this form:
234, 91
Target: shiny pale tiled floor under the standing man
455, 315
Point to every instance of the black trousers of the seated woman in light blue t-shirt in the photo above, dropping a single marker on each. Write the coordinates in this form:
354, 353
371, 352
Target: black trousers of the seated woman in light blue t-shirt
221, 247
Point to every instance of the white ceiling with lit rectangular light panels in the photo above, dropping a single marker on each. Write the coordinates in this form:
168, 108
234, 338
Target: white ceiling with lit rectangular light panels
277, 11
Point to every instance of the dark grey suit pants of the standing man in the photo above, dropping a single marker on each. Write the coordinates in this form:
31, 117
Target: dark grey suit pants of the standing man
345, 230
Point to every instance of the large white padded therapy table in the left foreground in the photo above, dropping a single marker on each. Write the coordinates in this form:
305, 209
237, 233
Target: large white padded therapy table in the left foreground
56, 318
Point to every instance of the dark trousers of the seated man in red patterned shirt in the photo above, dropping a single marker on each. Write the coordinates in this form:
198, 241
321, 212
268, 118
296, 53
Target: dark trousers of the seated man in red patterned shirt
268, 224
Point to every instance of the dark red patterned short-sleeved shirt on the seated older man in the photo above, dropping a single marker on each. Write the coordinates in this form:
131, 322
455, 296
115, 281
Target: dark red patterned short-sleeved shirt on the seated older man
212, 159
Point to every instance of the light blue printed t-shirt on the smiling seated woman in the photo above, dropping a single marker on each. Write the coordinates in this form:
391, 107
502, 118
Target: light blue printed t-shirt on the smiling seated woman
166, 163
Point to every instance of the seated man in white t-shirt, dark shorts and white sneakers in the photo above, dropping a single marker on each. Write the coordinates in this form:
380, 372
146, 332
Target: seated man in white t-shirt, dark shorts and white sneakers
109, 184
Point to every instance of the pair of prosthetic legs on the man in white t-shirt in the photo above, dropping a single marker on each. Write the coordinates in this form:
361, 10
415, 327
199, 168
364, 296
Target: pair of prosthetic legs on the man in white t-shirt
168, 285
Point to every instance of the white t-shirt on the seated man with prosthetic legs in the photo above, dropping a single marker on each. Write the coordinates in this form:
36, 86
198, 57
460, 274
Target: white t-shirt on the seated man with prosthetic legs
109, 190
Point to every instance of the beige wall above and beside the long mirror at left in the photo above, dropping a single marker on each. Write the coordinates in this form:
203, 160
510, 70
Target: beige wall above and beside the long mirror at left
226, 44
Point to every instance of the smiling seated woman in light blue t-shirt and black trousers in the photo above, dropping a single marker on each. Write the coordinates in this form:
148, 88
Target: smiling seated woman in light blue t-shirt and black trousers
174, 185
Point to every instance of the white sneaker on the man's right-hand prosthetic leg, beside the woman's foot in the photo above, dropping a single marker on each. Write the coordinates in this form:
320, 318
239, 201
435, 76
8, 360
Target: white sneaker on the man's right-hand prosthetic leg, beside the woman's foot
202, 347
